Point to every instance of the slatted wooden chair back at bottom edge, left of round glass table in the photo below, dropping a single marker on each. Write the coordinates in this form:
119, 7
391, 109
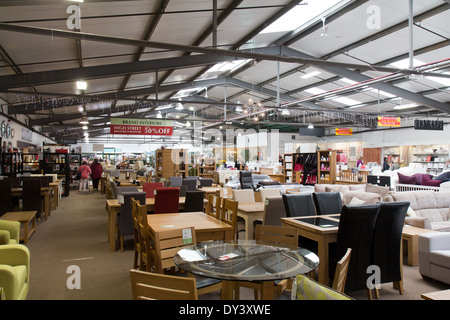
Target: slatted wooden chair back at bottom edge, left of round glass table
154, 286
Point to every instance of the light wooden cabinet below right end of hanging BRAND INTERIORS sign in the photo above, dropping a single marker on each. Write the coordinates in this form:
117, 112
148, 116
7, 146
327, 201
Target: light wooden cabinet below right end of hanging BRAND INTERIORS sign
171, 163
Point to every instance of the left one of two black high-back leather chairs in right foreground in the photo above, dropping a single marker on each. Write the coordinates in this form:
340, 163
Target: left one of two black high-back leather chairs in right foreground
355, 231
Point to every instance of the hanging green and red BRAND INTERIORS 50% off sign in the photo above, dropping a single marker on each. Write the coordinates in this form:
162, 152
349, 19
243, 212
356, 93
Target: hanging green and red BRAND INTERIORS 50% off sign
152, 127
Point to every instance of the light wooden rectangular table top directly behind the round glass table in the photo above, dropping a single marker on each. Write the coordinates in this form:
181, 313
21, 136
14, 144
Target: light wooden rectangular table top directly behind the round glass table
206, 227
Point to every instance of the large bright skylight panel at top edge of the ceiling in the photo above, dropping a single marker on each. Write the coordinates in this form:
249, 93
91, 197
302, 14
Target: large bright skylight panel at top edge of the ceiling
301, 14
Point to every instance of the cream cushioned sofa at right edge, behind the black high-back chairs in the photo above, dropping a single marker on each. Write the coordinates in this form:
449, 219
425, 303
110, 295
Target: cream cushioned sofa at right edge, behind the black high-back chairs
428, 209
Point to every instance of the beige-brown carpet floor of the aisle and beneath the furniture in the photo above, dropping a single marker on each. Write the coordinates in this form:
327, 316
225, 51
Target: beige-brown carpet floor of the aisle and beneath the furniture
75, 238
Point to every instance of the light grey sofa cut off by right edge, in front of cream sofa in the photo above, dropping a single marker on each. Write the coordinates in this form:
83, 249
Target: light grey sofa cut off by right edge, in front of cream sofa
434, 256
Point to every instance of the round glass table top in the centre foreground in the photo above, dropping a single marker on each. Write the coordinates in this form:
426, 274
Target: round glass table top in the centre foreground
245, 260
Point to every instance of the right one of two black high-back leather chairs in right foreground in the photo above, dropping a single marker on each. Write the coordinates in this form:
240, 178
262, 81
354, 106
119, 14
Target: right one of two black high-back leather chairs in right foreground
387, 239
